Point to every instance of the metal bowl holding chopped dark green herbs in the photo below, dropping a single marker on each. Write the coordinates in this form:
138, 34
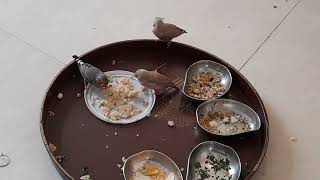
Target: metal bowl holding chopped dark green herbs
211, 160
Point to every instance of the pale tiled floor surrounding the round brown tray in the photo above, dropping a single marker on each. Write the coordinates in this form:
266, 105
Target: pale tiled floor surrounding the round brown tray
41, 35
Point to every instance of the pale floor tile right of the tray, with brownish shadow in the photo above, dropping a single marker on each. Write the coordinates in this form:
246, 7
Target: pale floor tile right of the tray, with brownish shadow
286, 73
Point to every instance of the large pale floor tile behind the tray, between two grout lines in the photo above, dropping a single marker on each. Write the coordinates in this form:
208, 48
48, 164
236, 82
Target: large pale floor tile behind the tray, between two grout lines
230, 29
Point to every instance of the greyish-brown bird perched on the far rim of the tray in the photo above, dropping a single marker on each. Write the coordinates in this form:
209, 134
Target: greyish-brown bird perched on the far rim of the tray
165, 31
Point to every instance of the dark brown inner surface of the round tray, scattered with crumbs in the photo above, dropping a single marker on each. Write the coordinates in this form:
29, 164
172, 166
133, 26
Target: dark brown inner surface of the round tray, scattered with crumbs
84, 140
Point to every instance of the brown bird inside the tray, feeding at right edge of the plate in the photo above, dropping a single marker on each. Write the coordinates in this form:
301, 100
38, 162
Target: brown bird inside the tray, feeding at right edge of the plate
154, 80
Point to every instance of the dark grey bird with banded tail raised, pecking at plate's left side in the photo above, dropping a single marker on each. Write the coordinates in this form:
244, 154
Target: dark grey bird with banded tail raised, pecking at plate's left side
91, 74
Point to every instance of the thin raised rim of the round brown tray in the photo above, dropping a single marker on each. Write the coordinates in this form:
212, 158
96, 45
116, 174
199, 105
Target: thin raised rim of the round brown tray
65, 174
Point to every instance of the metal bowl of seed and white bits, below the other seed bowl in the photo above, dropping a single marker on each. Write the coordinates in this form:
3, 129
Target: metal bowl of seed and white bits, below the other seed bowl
226, 117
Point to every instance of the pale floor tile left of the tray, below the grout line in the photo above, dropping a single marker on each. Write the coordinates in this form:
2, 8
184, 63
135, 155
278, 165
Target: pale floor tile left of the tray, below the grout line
25, 75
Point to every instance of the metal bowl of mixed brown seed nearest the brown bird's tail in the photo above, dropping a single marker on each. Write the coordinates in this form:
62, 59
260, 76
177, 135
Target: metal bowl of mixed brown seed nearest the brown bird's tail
206, 80
